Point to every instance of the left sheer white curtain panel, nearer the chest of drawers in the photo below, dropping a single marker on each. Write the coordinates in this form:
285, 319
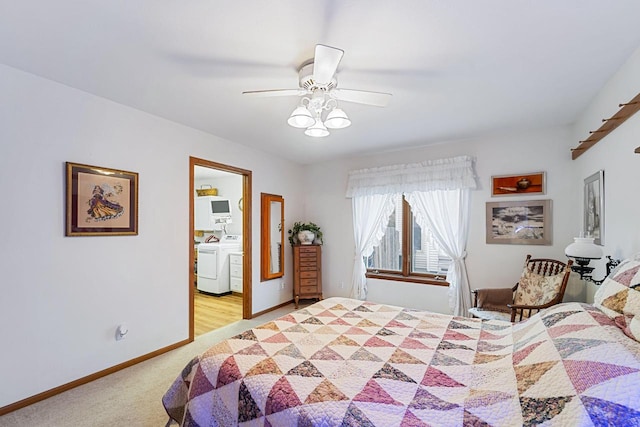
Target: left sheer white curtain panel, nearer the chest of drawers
370, 216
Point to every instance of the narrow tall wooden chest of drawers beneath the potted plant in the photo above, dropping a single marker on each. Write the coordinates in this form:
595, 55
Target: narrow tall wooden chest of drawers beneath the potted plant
307, 272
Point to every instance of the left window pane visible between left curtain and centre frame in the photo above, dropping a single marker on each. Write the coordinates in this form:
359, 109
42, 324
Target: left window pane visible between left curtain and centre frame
388, 255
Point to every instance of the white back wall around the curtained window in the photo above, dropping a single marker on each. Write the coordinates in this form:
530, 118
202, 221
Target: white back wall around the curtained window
488, 265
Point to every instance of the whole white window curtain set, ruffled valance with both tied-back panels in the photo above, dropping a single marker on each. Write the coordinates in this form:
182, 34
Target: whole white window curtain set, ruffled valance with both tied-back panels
439, 191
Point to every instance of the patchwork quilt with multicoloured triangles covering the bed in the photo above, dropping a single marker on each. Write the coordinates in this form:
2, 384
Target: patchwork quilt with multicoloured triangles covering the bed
344, 362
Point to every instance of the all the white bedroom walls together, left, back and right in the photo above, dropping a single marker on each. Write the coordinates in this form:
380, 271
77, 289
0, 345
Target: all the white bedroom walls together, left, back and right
63, 297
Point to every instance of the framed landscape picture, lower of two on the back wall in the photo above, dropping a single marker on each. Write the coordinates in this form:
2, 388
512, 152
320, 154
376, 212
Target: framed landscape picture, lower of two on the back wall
520, 223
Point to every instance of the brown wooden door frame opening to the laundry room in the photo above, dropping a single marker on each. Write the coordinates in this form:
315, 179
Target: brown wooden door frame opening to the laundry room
246, 235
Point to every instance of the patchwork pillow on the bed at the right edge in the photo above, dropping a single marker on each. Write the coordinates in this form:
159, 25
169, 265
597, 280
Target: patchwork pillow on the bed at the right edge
619, 296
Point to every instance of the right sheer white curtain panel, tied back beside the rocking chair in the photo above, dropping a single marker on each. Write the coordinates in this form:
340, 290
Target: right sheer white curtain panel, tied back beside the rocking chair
446, 214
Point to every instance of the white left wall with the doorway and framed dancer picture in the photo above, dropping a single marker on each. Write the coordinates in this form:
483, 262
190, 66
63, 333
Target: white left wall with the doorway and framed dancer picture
62, 297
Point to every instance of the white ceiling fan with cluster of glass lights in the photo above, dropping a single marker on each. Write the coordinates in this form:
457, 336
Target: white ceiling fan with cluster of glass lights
319, 92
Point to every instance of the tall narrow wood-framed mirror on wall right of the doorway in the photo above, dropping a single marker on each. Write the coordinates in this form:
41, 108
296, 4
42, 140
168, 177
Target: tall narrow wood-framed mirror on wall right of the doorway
272, 237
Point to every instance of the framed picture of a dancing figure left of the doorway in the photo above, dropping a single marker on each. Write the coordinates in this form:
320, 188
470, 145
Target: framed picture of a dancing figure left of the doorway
100, 201
